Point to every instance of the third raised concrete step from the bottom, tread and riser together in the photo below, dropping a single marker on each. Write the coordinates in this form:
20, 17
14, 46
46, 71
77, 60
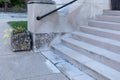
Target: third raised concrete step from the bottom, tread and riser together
102, 42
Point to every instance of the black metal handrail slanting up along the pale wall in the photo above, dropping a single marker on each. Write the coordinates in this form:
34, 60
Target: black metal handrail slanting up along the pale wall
41, 17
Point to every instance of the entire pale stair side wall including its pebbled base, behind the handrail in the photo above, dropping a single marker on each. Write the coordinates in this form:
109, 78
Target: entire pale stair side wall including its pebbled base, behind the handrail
66, 20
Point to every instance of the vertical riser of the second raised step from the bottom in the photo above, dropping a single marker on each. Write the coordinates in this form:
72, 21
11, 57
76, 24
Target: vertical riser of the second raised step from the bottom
95, 56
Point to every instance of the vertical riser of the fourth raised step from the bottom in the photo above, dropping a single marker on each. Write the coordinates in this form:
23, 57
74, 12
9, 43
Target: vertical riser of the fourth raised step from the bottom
101, 33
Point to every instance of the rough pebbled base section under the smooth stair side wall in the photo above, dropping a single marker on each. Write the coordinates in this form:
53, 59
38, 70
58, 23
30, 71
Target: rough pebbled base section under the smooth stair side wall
43, 40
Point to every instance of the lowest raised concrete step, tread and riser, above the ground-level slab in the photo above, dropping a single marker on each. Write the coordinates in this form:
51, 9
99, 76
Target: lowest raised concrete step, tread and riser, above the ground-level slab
97, 70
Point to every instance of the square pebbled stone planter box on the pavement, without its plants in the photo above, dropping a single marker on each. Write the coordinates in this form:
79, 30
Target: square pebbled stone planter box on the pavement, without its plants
21, 41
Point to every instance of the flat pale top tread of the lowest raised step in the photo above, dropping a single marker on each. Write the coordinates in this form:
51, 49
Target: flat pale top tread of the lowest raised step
94, 65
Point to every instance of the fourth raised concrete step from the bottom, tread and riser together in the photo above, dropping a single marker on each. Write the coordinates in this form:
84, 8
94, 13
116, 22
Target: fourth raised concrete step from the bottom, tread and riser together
112, 34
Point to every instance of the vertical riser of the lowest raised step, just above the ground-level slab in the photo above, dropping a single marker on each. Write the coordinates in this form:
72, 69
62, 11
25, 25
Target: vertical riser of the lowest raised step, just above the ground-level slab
81, 66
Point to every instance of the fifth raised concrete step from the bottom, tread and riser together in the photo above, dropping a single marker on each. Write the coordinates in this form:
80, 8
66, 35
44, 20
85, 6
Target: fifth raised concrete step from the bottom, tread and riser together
106, 25
